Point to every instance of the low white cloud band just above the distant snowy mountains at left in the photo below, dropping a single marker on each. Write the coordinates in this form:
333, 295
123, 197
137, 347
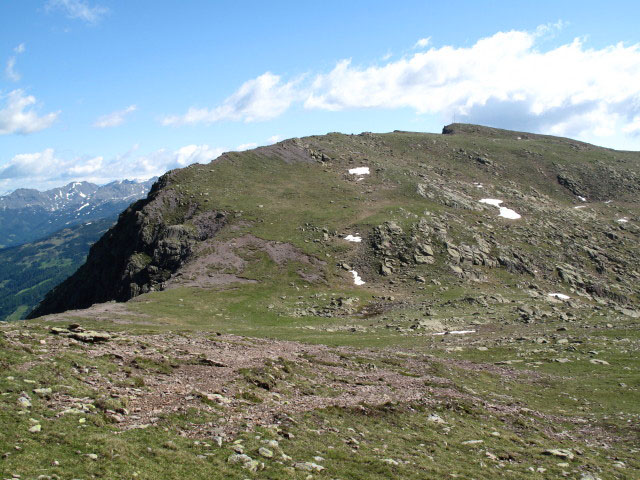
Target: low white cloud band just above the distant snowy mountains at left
47, 168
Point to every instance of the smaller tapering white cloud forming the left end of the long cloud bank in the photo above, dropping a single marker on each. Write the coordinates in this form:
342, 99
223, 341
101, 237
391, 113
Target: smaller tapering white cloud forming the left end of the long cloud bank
261, 98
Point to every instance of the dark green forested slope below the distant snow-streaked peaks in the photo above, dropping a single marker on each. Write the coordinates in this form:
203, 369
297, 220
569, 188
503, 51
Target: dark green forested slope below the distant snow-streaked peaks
29, 271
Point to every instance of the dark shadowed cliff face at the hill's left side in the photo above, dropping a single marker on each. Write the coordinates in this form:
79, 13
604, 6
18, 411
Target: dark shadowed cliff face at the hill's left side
136, 256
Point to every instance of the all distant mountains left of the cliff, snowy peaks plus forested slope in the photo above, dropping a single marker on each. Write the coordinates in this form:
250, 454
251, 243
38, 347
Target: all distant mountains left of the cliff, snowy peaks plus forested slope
45, 236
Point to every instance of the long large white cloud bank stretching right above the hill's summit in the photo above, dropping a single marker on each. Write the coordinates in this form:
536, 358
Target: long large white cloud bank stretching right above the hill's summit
508, 79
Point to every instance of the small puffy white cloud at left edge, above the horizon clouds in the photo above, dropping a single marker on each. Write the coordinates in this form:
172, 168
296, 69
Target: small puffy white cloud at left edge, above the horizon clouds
18, 117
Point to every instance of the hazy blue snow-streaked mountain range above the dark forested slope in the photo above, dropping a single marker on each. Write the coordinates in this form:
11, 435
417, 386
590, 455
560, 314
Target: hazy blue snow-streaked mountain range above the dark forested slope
27, 214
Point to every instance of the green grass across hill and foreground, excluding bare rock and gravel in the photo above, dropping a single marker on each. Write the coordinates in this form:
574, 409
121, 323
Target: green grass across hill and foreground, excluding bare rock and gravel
546, 394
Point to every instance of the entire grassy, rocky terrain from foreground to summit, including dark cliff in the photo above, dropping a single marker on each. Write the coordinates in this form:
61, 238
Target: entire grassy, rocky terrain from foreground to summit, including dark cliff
289, 319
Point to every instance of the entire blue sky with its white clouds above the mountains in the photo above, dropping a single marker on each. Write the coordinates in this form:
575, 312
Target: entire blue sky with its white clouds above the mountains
102, 90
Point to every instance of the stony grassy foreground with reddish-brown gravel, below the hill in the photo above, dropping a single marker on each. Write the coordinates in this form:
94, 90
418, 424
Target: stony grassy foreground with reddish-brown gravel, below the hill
559, 402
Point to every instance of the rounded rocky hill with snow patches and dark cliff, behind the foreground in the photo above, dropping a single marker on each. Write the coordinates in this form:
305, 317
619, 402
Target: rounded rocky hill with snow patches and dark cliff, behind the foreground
476, 206
